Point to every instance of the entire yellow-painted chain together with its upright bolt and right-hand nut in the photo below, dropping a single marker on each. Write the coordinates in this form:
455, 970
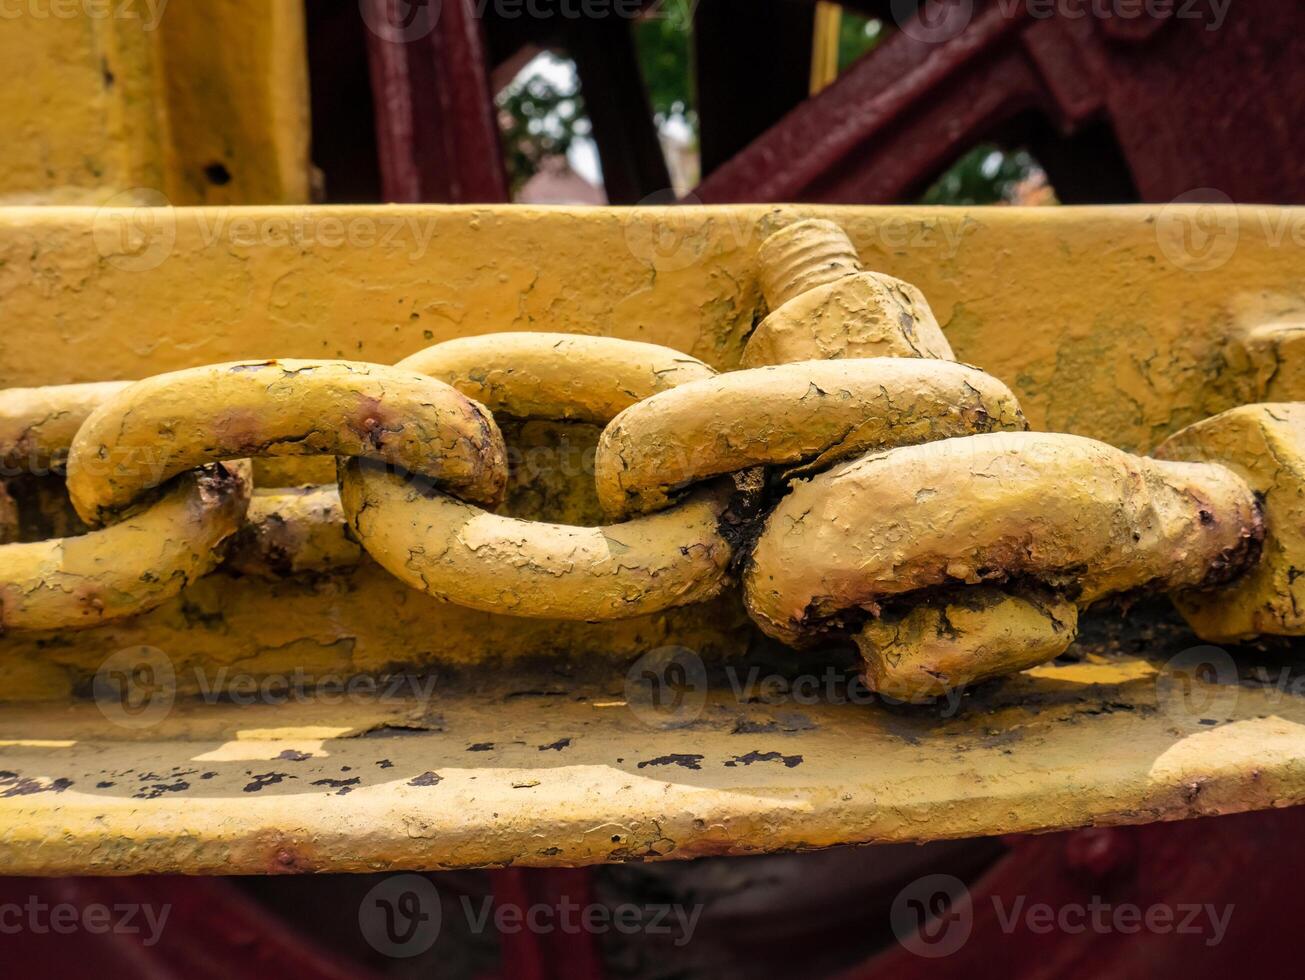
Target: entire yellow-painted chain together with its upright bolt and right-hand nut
905, 504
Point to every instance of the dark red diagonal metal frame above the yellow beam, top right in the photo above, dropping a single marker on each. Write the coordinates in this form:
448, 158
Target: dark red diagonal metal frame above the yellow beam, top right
1190, 108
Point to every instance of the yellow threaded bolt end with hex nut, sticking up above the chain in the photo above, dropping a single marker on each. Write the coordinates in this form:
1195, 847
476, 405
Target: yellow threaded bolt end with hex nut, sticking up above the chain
825, 305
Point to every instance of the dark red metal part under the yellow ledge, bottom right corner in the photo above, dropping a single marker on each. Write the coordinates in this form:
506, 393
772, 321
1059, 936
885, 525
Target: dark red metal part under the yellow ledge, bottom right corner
1251, 862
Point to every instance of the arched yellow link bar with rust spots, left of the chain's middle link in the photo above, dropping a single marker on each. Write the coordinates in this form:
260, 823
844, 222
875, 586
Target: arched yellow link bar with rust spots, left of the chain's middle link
164, 426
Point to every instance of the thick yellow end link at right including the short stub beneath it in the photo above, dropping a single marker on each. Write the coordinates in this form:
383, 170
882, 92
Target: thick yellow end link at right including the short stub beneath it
1064, 515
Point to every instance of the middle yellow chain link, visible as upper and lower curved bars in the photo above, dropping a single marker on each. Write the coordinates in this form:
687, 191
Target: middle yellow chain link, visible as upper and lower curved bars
457, 551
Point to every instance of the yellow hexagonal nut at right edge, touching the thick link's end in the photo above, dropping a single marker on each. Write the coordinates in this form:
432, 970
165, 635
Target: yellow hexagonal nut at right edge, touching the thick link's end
1265, 446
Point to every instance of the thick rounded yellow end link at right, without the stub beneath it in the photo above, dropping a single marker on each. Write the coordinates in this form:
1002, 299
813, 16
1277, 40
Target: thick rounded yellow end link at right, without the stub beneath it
1075, 515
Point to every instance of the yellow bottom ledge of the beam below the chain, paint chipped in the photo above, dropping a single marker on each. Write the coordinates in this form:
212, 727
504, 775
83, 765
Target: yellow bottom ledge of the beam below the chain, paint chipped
534, 769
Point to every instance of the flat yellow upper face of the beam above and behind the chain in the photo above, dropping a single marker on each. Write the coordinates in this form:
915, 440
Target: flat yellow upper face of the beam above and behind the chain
1113, 323
